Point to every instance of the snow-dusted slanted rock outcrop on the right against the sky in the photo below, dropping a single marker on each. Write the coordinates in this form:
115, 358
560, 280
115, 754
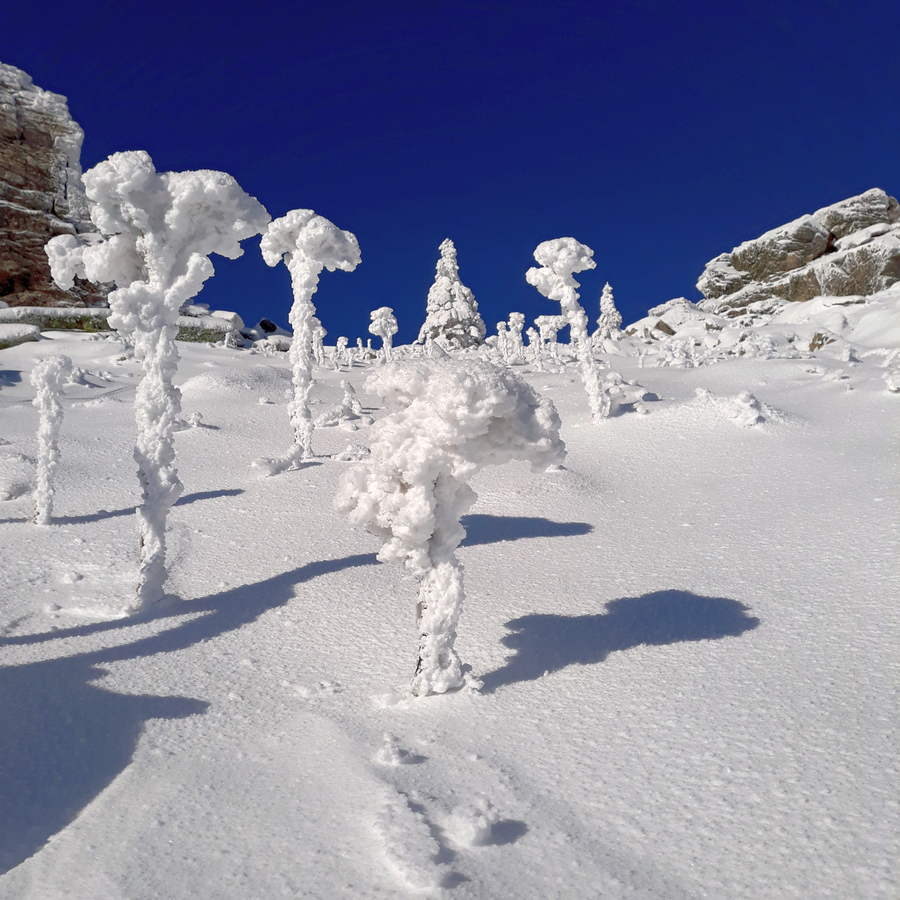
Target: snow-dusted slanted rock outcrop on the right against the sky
850, 248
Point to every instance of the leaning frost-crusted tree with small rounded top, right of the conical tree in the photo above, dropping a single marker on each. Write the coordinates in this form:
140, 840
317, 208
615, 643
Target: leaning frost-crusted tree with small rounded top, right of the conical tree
560, 259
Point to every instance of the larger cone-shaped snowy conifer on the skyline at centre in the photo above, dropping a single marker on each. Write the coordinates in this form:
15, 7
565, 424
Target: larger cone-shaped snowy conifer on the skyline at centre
452, 318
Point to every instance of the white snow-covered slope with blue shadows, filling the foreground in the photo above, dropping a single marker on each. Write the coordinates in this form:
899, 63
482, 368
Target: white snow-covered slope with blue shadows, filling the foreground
687, 637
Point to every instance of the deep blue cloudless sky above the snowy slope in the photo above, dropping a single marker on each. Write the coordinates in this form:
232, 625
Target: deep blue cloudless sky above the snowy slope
658, 133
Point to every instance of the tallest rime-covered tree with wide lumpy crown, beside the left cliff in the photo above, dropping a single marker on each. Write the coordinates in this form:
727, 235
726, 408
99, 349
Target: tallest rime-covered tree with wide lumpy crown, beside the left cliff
157, 231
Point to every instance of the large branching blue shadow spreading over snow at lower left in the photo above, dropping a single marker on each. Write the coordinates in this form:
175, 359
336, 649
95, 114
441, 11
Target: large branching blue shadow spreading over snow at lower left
63, 739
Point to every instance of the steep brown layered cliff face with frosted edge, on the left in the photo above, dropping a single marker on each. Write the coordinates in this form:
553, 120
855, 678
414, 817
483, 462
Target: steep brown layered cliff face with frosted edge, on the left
41, 194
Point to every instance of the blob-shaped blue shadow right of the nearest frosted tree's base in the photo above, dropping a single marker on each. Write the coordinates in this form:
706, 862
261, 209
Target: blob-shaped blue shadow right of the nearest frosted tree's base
545, 643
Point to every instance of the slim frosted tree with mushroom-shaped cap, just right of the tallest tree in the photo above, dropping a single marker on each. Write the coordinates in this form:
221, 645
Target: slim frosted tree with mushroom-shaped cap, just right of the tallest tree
308, 243
